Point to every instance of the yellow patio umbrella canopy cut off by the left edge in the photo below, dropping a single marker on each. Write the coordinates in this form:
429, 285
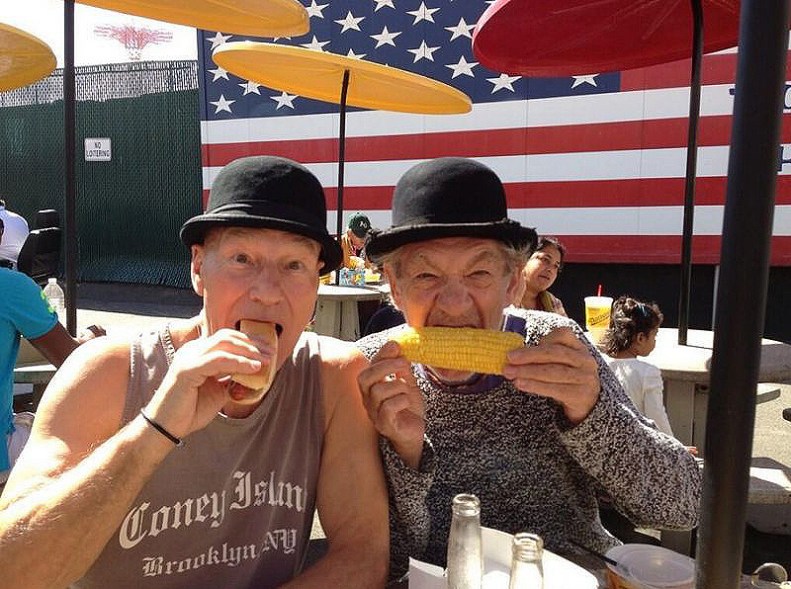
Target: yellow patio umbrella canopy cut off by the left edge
24, 59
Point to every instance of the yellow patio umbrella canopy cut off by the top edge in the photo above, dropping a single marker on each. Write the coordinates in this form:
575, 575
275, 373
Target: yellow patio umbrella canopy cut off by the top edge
261, 18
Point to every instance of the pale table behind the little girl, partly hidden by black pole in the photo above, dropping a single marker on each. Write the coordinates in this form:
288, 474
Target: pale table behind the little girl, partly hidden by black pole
686, 373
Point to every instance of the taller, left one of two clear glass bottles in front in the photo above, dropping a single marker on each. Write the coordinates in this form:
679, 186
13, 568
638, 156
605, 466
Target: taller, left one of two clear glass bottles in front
465, 553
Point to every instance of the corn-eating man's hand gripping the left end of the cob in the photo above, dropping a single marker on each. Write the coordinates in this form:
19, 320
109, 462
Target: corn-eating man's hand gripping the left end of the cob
394, 403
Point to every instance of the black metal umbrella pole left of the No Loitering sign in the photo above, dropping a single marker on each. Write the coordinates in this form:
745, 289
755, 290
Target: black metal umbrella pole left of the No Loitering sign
69, 131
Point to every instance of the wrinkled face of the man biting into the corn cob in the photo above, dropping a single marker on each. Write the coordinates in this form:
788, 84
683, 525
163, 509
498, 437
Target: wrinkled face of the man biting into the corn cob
453, 282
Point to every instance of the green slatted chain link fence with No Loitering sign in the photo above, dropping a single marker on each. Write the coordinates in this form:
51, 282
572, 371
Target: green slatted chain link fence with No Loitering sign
129, 209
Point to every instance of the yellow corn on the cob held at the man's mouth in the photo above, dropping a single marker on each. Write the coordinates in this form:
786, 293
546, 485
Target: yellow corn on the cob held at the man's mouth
459, 348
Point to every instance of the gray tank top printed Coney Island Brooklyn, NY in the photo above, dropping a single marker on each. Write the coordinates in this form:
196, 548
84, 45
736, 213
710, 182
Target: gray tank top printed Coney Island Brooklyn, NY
233, 507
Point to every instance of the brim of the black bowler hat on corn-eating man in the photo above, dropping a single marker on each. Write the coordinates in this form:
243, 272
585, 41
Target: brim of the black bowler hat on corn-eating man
507, 231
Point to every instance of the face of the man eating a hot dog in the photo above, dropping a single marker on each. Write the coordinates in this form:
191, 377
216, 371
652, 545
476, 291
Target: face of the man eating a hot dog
260, 274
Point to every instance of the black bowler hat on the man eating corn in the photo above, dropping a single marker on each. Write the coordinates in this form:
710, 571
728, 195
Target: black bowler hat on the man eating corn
449, 197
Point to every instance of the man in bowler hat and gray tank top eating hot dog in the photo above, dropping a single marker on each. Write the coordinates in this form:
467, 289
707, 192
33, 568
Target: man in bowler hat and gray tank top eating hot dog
159, 462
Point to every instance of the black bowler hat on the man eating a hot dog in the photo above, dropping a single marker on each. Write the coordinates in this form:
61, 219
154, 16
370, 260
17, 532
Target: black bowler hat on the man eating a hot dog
268, 192
